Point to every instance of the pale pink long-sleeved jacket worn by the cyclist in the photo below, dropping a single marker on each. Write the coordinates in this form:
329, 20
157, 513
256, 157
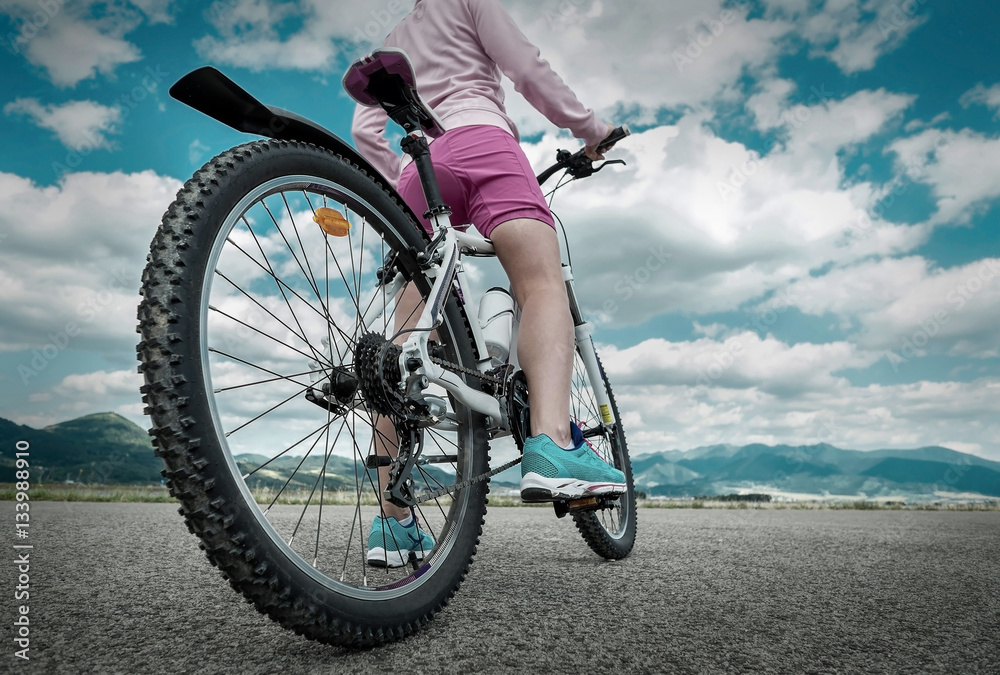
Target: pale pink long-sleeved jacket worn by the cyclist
459, 48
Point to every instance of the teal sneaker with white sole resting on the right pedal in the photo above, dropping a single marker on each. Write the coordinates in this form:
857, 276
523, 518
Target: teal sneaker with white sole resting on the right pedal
549, 472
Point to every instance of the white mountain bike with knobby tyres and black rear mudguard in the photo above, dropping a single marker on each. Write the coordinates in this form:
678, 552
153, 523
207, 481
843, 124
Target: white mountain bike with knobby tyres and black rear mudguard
269, 297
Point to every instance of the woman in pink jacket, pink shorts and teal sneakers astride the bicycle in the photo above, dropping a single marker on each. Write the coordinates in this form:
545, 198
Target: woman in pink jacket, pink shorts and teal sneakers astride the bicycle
458, 49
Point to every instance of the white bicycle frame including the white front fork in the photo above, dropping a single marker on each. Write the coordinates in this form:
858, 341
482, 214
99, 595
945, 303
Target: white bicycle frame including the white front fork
447, 271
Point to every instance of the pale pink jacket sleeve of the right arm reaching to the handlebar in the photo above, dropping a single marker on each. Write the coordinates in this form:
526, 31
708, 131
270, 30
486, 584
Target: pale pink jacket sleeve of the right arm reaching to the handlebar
532, 76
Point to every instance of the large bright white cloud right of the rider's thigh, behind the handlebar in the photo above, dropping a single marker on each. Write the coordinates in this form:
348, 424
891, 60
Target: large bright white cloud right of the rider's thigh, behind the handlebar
735, 225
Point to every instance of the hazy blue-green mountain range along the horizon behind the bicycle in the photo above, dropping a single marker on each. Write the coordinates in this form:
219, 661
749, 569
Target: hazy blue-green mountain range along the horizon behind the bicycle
107, 448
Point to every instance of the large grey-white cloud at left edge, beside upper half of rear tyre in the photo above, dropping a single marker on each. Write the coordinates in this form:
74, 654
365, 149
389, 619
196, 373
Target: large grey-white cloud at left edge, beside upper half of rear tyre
74, 253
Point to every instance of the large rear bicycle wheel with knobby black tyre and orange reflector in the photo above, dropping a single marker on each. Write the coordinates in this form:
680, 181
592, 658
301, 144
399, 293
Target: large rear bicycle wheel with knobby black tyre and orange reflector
249, 311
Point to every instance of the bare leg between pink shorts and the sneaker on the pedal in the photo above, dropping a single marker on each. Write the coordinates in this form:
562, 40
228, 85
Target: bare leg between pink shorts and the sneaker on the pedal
529, 252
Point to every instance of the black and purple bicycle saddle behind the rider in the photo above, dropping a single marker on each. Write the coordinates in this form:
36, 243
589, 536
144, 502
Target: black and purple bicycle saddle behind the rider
386, 78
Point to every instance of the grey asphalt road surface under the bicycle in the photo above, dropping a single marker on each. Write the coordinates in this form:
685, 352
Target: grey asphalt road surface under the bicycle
124, 588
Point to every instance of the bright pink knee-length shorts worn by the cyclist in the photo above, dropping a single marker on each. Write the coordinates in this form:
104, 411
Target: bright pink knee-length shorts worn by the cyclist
484, 177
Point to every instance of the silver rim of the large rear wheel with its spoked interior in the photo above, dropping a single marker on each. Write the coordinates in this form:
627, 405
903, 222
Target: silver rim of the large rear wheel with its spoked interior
280, 307
